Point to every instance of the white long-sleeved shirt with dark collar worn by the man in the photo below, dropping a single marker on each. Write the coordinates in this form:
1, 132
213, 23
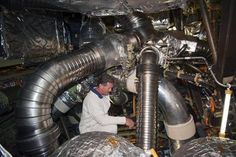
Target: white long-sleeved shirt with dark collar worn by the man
95, 115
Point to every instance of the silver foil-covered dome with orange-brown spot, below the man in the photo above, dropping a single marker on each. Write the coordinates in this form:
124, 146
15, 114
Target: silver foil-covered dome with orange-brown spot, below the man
101, 144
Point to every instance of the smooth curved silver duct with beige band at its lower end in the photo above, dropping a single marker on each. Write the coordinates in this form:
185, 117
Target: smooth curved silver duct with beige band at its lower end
179, 123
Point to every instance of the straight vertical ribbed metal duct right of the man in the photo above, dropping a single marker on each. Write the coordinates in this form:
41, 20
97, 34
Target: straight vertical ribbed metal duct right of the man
147, 73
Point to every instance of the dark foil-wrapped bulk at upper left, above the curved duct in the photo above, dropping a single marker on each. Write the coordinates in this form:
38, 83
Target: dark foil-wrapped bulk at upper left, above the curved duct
34, 37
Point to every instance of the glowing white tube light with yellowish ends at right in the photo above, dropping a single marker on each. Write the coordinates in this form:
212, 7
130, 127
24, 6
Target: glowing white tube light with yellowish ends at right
228, 93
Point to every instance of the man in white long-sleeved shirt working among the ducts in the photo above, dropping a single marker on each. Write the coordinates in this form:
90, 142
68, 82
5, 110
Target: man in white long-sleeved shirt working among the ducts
95, 109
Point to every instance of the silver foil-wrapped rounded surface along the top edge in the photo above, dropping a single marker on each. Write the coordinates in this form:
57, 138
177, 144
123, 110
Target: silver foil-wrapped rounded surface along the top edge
115, 7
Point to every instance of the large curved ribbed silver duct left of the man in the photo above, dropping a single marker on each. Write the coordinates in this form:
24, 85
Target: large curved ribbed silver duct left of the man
37, 133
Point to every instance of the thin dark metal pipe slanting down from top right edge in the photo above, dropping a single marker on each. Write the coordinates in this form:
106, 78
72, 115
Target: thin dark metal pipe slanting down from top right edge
210, 35
